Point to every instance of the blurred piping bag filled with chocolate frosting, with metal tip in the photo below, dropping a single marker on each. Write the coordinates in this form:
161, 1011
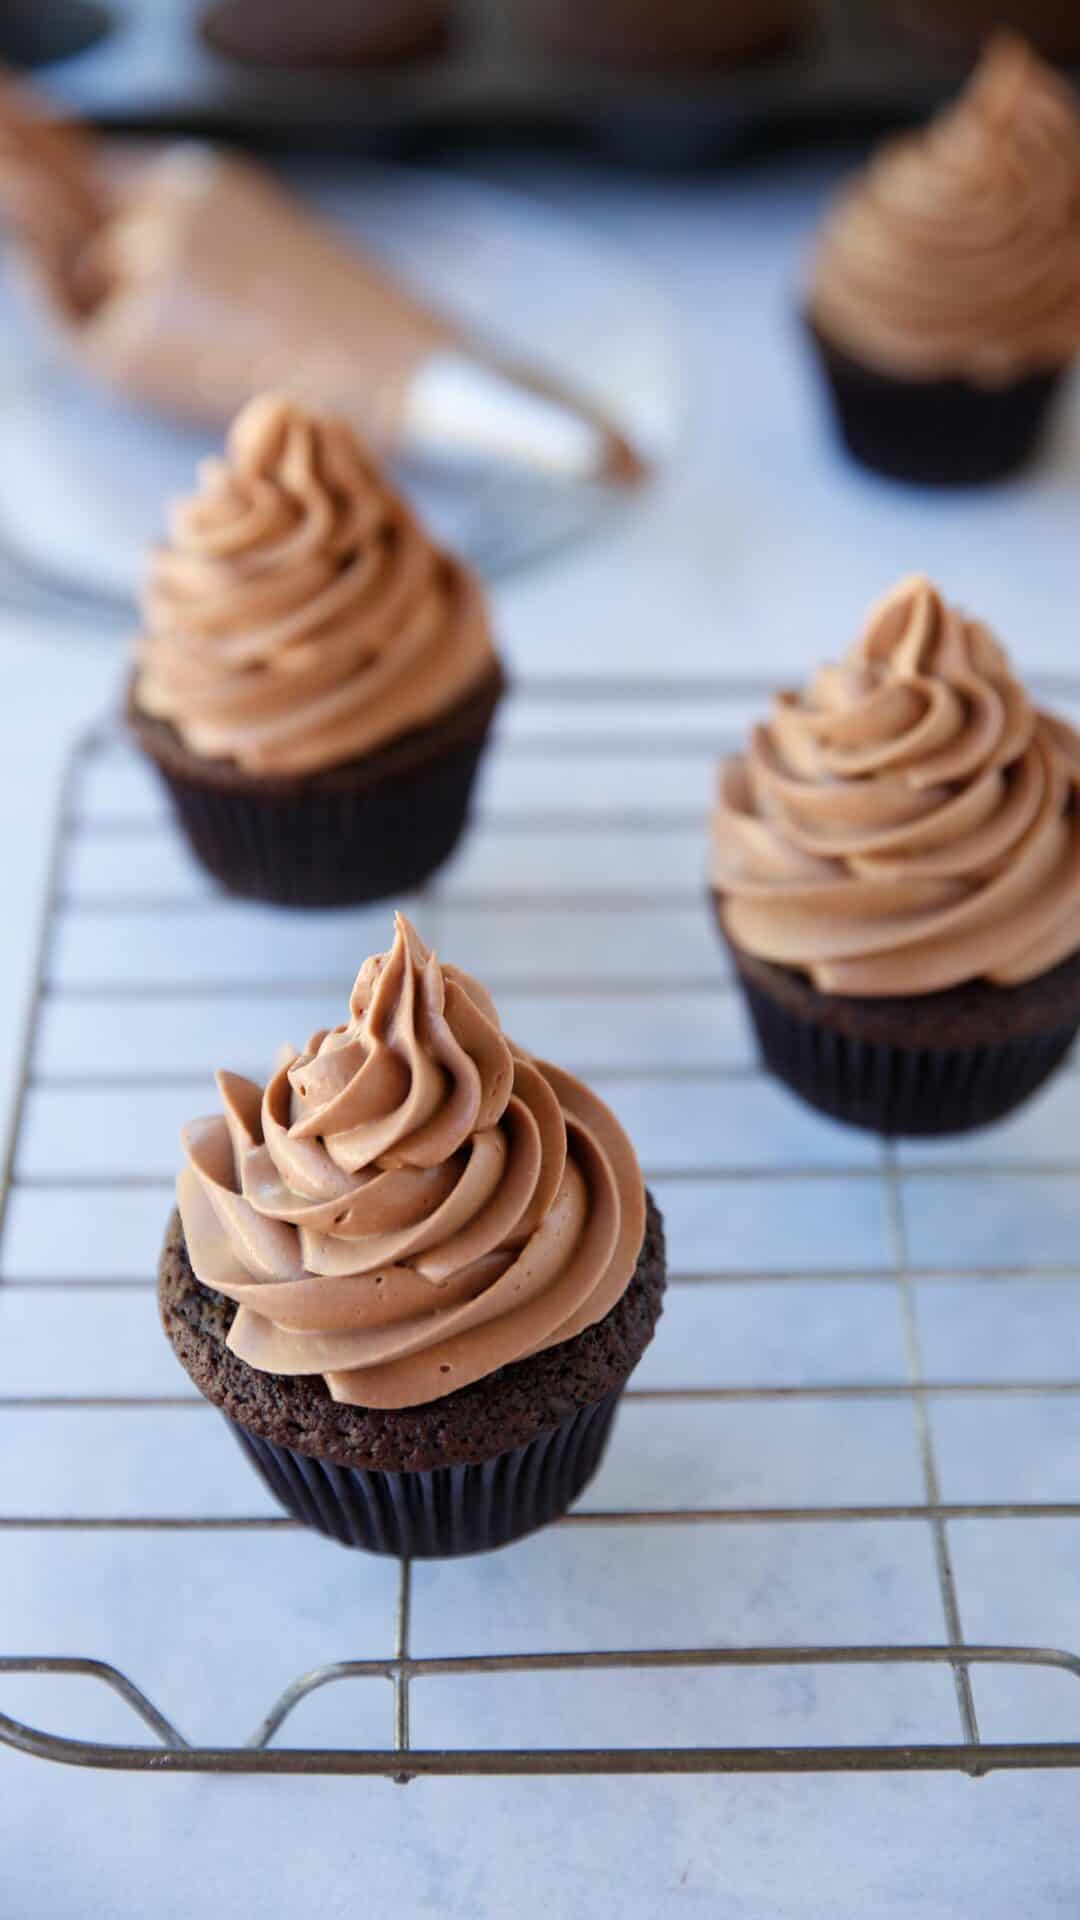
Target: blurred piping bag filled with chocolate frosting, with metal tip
193, 281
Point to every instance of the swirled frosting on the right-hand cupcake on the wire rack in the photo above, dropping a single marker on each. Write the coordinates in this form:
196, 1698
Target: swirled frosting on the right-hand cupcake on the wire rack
908, 823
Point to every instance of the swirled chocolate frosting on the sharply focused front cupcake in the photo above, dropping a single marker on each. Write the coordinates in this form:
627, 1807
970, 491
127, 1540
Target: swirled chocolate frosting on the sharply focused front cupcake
412, 1201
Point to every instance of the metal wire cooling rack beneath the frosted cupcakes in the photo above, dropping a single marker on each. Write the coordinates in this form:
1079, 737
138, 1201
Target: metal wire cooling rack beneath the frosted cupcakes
852, 1437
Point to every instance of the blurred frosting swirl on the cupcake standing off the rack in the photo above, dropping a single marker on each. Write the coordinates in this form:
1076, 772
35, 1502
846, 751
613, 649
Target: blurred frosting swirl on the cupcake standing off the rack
958, 251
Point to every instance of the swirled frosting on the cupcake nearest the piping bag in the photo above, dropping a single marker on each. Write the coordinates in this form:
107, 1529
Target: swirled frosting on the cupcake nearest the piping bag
299, 615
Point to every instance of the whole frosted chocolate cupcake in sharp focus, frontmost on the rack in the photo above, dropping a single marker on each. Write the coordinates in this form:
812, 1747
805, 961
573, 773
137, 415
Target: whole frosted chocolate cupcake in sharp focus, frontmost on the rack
414, 1270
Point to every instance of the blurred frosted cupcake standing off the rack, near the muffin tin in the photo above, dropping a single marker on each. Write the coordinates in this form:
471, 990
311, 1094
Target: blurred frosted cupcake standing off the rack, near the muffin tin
946, 291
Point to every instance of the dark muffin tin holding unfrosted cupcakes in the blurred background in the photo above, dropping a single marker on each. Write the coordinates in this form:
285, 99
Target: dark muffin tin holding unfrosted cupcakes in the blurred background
132, 62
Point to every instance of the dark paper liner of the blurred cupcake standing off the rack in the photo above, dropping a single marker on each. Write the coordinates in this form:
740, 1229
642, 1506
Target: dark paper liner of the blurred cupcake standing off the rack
935, 433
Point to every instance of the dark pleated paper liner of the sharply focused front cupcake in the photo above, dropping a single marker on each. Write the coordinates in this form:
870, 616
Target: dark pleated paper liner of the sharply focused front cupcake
449, 1510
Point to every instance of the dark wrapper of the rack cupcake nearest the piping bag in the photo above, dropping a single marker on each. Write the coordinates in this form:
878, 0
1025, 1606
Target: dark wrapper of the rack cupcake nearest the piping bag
330, 846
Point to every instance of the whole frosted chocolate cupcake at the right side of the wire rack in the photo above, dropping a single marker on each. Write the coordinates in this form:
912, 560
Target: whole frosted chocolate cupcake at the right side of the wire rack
896, 871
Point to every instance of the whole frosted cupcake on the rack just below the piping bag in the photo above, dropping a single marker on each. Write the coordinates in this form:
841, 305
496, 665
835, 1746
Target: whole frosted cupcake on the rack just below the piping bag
316, 681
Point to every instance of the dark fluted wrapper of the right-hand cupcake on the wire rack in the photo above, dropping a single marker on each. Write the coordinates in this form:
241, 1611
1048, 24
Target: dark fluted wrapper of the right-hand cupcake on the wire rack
902, 1090
